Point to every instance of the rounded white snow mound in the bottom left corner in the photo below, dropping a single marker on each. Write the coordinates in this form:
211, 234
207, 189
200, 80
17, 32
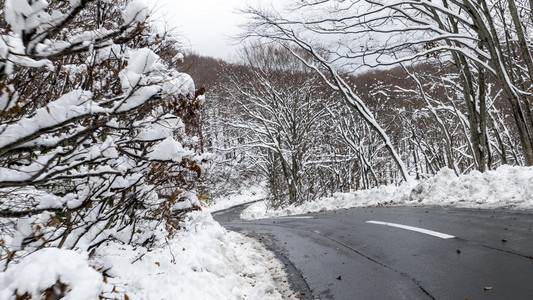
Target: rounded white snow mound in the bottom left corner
43, 269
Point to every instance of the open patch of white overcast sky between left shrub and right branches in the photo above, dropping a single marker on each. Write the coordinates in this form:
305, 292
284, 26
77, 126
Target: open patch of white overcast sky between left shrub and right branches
205, 24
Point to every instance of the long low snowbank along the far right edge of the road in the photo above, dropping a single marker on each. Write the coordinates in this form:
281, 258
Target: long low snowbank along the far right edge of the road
506, 187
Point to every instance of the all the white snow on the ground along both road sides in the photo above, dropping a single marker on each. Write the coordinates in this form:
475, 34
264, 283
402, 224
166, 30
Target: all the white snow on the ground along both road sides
204, 261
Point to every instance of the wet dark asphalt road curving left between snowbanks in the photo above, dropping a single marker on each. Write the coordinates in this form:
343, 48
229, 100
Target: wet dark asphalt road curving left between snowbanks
338, 255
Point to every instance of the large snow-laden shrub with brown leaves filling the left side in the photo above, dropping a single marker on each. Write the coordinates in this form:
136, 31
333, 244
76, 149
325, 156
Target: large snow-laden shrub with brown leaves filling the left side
94, 144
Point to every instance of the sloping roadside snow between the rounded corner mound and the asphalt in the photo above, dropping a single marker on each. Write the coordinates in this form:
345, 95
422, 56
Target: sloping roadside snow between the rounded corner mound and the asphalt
204, 261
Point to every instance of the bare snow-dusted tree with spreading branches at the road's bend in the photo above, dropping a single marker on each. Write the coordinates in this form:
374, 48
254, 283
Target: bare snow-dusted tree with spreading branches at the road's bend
283, 120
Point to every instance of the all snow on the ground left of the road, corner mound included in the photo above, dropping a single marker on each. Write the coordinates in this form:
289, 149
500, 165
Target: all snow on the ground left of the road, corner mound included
203, 261
